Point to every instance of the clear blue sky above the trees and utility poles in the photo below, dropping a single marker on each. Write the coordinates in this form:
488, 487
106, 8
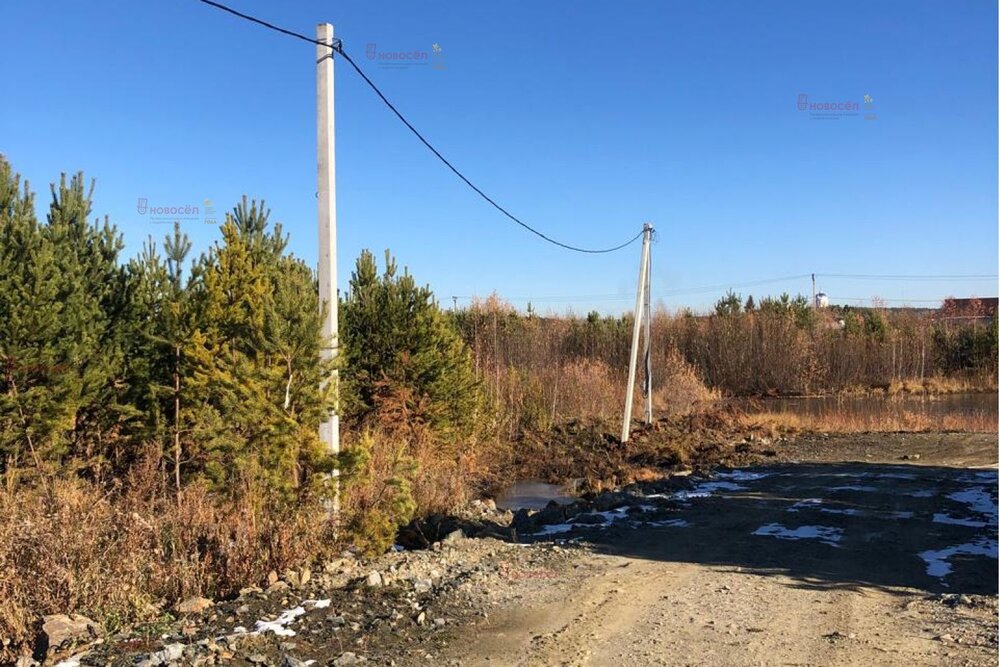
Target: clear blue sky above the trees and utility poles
584, 118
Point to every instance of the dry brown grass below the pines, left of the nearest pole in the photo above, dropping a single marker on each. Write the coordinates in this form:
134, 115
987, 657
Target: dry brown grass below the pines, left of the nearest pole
124, 555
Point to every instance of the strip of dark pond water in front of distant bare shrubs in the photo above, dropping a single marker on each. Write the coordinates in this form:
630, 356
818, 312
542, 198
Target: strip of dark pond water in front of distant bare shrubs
966, 405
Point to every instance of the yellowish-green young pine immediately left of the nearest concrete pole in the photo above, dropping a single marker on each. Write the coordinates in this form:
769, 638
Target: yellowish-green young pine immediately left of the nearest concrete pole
253, 367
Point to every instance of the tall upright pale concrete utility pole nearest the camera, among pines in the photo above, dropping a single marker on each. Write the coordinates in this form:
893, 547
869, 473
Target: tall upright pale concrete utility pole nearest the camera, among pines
326, 170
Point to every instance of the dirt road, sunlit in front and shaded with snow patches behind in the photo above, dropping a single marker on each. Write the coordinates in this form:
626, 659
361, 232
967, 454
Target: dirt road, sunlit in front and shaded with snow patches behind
820, 562
